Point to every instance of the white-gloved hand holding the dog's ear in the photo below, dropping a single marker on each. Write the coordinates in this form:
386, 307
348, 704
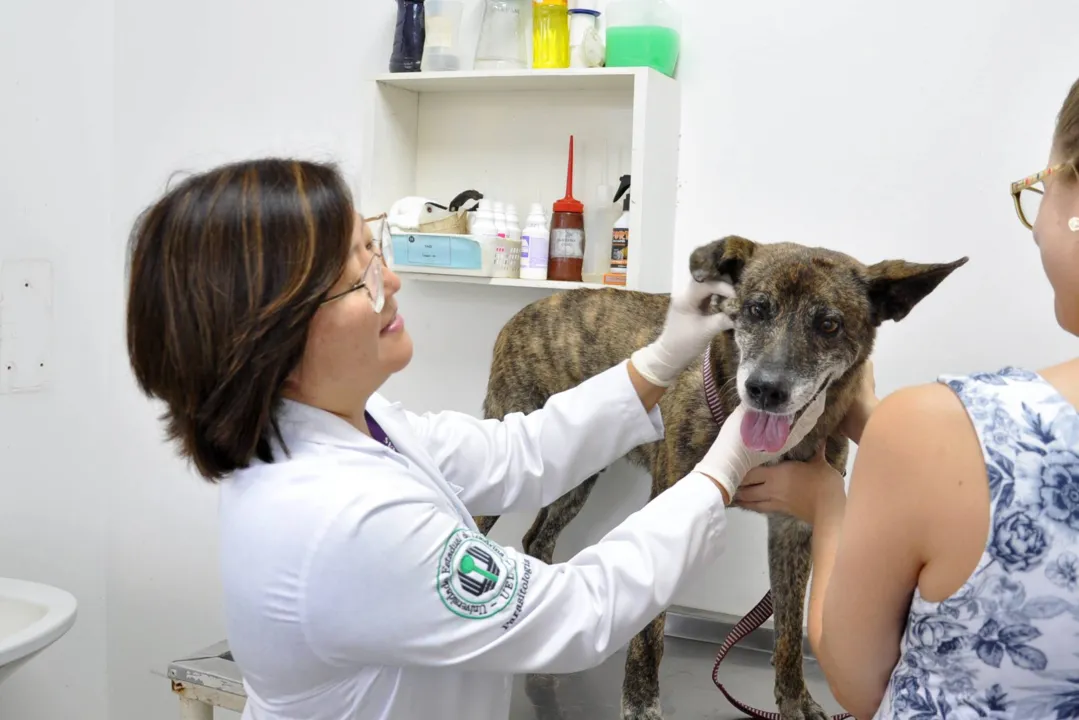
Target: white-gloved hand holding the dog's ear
687, 333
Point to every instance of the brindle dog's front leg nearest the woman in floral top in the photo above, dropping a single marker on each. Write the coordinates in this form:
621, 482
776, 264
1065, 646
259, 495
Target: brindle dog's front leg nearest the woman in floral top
789, 563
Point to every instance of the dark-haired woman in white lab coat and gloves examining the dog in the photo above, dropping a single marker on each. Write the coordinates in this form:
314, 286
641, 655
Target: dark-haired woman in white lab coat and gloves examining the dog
357, 585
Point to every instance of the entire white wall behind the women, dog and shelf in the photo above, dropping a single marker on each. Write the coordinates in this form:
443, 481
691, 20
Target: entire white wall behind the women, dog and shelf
881, 132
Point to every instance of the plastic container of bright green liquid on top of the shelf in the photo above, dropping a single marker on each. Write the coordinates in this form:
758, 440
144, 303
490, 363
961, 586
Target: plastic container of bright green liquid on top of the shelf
644, 34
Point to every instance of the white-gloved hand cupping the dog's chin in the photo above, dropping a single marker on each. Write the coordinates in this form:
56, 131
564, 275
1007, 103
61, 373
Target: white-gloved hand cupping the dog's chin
729, 460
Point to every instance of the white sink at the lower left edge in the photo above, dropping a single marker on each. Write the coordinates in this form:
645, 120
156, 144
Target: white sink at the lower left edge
33, 617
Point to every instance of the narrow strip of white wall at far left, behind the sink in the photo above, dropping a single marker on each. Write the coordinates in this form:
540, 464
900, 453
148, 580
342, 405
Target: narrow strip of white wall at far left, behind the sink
56, 446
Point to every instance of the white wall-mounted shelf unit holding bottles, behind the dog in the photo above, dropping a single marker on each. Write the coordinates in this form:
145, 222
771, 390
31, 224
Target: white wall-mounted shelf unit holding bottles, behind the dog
507, 134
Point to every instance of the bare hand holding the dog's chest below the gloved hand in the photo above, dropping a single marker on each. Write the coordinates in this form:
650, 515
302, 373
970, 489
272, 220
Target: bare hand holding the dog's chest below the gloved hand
801, 490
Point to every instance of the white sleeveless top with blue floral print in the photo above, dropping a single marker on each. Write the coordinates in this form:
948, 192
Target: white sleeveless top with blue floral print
1006, 645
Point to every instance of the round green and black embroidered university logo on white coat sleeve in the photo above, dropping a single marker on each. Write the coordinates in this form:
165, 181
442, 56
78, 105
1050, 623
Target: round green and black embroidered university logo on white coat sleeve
476, 579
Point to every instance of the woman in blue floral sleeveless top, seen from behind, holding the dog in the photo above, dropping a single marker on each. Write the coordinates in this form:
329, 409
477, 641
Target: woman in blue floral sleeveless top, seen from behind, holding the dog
948, 585
